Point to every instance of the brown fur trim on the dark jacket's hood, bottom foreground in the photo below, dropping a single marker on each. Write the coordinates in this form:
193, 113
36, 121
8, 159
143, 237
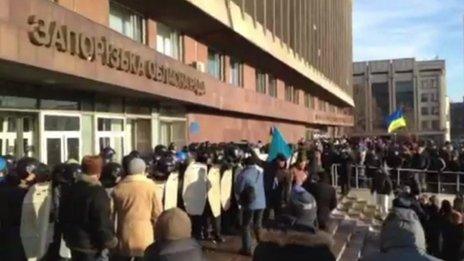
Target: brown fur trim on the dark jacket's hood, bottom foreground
291, 237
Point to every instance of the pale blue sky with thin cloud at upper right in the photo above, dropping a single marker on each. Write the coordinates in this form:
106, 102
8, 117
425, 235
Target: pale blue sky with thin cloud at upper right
424, 29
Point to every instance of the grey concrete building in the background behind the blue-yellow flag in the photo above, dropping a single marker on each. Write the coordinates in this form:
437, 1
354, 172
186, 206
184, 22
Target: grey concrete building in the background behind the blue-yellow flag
418, 87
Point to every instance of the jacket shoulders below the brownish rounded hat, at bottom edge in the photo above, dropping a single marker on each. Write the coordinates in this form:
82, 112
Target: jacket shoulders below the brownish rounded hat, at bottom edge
178, 250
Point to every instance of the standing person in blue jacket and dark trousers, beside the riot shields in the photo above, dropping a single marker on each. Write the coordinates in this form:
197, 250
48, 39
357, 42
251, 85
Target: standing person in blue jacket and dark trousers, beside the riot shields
250, 191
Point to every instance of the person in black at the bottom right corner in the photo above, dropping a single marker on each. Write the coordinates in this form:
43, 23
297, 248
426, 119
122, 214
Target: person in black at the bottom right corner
453, 238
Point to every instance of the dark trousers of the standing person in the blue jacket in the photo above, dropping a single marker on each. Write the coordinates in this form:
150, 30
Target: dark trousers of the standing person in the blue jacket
251, 217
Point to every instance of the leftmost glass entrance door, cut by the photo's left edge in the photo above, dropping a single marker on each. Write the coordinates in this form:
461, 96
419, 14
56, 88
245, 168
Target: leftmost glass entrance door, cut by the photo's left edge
17, 134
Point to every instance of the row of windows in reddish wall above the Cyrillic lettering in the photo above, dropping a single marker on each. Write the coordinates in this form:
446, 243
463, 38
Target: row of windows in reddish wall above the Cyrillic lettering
168, 42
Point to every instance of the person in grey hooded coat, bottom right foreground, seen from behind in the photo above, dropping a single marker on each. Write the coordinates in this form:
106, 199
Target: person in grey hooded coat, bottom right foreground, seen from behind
401, 238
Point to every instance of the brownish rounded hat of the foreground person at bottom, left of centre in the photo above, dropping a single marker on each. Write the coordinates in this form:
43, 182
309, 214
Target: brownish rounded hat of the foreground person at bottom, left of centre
173, 224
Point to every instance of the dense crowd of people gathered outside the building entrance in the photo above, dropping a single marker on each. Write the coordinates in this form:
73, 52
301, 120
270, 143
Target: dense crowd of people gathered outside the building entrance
97, 209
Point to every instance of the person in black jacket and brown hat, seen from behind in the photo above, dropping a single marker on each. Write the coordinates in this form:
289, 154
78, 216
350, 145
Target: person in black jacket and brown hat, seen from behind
85, 213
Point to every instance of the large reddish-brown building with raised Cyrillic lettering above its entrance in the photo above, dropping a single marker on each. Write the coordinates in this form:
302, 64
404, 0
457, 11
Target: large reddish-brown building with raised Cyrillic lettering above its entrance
79, 75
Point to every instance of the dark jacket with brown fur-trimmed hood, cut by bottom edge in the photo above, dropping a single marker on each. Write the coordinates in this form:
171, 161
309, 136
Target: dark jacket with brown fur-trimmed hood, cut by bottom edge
296, 243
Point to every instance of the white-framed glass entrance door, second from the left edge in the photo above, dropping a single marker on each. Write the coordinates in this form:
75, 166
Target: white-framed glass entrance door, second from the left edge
62, 139
